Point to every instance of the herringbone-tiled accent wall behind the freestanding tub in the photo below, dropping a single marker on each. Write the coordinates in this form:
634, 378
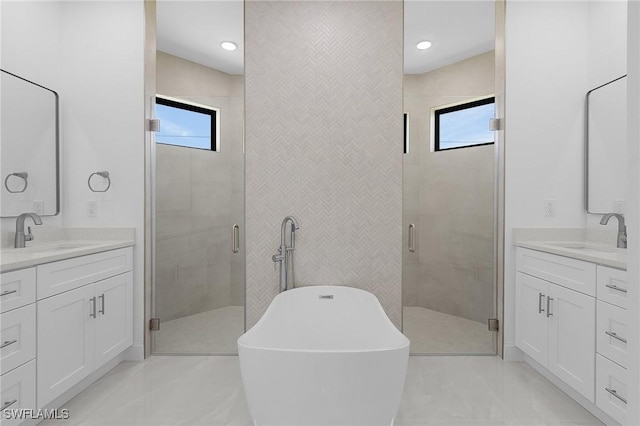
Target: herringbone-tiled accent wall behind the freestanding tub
324, 143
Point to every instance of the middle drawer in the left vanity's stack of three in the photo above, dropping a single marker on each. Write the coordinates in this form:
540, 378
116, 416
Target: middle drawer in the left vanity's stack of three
17, 337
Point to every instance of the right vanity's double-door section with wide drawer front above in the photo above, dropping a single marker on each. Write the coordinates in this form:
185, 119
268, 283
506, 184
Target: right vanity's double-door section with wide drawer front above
555, 323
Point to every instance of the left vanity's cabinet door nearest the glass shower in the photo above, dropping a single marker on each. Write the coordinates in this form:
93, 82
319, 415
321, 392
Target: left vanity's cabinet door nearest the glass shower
114, 324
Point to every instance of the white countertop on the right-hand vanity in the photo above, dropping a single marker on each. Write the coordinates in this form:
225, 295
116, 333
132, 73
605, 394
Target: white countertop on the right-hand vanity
602, 254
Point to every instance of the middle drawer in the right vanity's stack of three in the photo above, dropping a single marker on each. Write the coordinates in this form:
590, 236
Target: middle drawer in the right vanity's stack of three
612, 332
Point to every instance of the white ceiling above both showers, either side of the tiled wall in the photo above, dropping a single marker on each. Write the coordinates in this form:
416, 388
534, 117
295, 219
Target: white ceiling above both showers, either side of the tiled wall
193, 30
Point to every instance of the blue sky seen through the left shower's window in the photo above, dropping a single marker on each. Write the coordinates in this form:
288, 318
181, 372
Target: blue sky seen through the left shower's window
183, 128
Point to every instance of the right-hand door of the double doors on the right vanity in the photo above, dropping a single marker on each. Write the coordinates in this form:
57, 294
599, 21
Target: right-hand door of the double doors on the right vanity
572, 339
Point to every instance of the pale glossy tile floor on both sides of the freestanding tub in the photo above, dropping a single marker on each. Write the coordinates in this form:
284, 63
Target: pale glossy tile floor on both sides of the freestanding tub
439, 390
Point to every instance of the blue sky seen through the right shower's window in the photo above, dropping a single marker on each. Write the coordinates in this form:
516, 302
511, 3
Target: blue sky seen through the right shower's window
466, 127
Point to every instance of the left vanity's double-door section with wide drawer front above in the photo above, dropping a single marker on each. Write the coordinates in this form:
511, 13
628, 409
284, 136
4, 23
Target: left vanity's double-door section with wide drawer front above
82, 322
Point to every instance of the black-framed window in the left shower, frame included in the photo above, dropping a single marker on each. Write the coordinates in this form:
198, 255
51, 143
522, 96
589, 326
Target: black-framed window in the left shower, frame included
187, 124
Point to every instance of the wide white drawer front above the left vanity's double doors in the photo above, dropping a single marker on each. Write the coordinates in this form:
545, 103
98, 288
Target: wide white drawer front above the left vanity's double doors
58, 277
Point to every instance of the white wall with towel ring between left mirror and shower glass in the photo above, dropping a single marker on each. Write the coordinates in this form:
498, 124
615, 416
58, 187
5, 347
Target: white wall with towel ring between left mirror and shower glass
103, 122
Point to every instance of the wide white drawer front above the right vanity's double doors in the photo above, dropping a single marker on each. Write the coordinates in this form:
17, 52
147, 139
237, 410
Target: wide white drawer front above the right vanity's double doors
571, 273
